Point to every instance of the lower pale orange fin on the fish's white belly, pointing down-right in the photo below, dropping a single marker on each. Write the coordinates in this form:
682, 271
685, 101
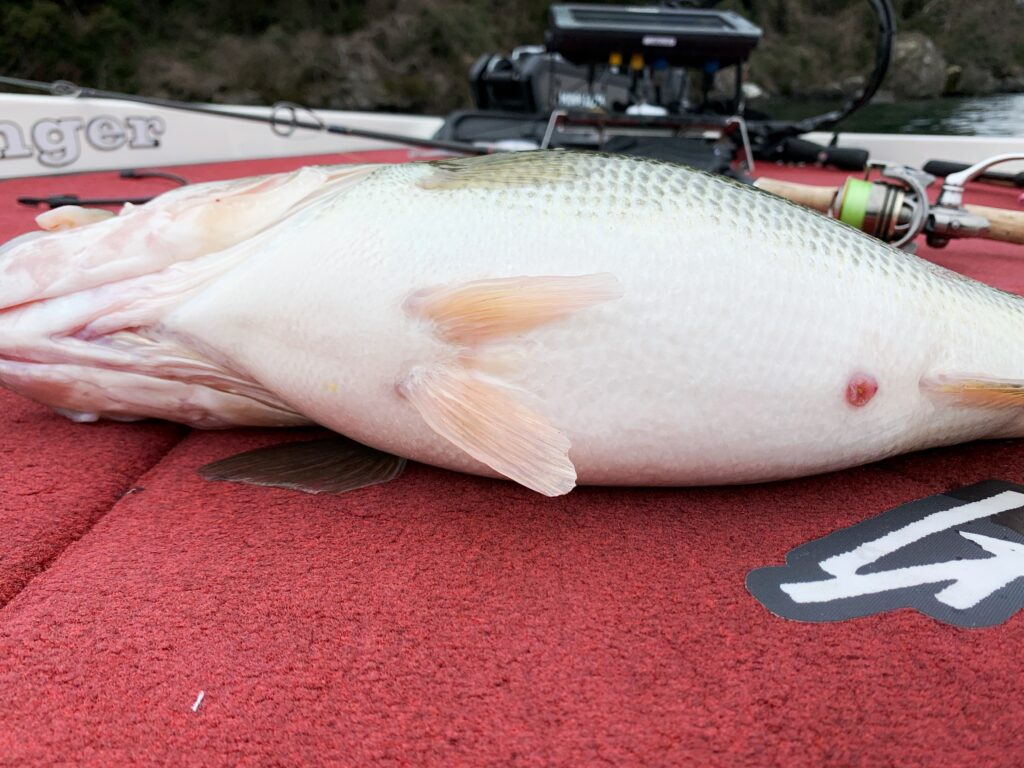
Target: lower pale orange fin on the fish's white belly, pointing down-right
491, 422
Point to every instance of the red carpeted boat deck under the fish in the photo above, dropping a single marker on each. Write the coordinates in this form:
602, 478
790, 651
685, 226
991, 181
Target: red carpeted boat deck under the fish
446, 620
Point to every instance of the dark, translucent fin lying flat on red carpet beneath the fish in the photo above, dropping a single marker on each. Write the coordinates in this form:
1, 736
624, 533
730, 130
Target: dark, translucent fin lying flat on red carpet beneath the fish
333, 465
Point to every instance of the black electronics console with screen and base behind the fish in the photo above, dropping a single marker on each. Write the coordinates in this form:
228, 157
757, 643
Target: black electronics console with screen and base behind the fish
630, 79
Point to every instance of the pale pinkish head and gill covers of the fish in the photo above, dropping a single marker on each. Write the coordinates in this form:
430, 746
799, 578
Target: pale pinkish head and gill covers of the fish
81, 303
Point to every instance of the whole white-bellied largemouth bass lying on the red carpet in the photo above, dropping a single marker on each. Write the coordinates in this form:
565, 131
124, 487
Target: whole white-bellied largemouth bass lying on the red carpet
551, 318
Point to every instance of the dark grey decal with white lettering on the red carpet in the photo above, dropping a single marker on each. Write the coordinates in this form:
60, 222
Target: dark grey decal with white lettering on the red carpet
958, 558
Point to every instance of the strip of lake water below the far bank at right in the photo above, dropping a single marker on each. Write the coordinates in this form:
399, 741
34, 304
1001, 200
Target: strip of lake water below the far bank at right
1001, 115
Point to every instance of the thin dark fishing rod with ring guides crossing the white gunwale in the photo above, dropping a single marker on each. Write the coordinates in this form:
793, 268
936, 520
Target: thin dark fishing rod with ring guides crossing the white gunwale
282, 127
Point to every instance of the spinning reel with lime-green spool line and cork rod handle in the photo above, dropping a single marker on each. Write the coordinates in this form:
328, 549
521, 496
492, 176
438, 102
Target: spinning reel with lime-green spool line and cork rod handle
897, 208
